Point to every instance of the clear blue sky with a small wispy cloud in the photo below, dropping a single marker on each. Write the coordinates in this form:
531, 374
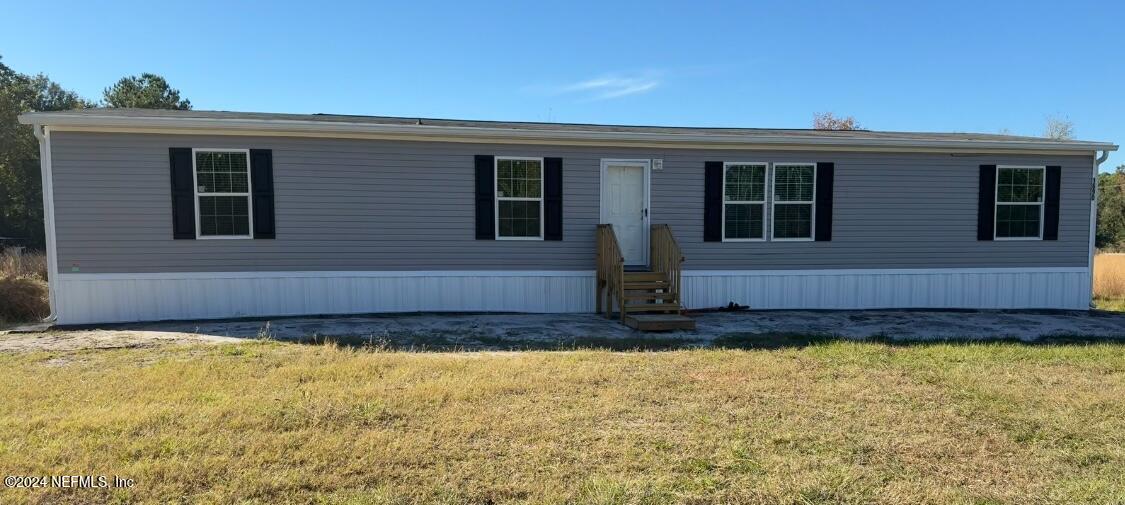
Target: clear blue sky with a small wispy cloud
948, 67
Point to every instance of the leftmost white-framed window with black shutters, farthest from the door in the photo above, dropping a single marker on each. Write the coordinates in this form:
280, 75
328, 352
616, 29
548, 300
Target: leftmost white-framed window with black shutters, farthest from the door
223, 186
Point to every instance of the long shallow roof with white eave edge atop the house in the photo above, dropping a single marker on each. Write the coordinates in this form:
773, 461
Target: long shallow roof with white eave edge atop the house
478, 133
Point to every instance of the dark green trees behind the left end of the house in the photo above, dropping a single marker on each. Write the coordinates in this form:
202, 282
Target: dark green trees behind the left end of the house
21, 182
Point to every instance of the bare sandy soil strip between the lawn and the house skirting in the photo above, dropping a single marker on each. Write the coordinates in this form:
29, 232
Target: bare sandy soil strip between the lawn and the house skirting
539, 331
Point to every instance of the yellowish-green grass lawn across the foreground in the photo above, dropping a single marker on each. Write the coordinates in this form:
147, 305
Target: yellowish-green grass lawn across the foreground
834, 422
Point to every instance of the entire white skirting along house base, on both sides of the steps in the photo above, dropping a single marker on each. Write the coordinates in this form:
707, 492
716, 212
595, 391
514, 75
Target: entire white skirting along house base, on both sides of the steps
127, 297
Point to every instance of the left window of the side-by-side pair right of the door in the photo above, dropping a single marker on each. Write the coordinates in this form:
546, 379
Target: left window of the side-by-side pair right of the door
744, 202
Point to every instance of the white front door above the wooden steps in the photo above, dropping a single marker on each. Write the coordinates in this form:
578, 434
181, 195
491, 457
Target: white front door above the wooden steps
625, 197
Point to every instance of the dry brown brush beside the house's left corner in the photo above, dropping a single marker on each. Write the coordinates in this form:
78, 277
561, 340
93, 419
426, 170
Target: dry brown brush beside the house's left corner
23, 288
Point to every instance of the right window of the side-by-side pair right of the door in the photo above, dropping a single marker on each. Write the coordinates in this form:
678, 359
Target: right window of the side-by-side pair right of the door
795, 196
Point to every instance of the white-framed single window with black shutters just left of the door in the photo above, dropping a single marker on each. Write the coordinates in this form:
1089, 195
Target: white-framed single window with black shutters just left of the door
519, 199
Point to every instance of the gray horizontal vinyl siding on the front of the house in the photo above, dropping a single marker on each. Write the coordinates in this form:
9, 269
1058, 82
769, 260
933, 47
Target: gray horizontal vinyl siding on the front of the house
392, 205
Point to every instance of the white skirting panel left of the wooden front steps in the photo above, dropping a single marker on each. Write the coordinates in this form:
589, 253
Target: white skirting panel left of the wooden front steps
128, 297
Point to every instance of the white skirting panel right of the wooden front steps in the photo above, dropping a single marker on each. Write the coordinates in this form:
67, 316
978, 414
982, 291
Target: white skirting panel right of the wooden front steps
1068, 288
